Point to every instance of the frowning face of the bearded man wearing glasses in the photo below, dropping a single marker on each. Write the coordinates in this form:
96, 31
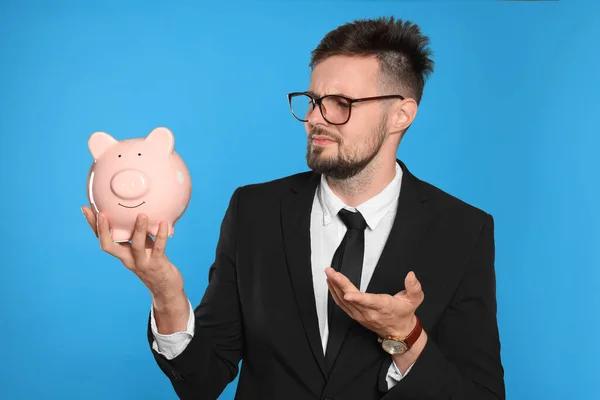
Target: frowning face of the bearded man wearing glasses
342, 151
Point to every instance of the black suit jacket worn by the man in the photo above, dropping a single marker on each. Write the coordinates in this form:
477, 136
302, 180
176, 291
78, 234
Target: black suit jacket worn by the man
259, 305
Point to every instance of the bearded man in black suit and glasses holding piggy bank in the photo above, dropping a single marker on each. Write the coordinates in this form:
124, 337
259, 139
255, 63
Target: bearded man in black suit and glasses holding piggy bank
355, 280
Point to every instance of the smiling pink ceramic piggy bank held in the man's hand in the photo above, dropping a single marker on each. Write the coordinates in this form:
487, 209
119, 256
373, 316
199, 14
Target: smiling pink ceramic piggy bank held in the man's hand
133, 176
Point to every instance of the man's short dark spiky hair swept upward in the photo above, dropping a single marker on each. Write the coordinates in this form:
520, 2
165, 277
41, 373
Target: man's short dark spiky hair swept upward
402, 51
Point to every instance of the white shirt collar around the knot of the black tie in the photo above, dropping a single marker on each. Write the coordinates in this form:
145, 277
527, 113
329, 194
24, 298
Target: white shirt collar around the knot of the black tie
373, 210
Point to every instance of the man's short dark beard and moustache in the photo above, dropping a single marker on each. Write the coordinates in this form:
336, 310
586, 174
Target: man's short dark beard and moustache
347, 162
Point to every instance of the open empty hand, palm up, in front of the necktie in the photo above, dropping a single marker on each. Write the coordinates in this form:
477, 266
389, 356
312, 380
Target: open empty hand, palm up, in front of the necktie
381, 313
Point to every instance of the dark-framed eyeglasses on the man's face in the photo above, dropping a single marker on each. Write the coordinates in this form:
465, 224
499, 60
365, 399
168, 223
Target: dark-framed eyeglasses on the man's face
335, 109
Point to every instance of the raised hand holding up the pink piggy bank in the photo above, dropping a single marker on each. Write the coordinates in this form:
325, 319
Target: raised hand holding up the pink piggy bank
143, 256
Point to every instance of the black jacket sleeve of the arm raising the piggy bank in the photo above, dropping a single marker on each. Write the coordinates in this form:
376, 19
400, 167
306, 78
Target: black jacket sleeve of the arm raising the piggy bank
210, 361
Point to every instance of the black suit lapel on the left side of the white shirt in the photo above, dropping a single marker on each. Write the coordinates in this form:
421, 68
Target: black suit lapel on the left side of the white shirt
295, 217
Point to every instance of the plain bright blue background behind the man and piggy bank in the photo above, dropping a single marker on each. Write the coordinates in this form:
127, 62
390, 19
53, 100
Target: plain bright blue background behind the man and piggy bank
509, 123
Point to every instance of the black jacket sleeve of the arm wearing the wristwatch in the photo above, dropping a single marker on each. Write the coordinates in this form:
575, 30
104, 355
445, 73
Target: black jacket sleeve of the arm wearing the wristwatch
462, 361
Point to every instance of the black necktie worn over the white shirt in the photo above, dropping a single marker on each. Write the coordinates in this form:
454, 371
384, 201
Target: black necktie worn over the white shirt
348, 259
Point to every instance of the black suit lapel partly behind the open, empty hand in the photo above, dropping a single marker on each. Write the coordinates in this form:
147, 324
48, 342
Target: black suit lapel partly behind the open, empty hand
360, 348
